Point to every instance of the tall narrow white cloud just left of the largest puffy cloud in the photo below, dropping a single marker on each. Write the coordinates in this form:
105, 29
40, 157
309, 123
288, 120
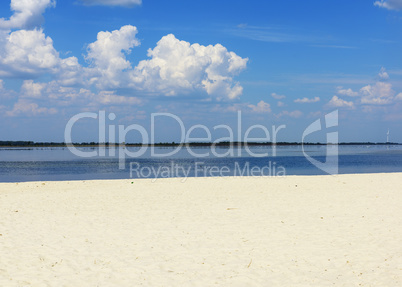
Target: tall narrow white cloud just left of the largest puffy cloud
107, 56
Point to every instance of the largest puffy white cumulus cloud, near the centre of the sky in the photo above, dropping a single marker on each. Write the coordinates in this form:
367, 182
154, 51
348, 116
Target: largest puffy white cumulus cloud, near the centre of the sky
180, 67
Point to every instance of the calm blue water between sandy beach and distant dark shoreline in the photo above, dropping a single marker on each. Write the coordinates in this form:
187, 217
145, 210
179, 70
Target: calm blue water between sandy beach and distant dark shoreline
39, 164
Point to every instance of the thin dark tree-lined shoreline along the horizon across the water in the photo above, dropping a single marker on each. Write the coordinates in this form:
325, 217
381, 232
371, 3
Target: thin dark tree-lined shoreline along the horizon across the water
31, 144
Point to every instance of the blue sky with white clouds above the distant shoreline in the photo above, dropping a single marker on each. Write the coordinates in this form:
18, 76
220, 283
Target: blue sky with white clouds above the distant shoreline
275, 63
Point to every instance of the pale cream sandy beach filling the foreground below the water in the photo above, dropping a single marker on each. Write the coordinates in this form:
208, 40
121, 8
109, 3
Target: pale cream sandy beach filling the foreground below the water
296, 231
